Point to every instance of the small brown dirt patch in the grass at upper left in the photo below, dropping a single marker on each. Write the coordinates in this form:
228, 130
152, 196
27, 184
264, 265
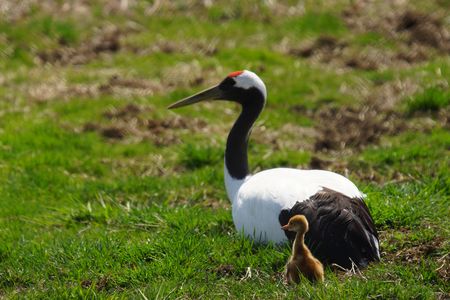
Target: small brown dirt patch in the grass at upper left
105, 40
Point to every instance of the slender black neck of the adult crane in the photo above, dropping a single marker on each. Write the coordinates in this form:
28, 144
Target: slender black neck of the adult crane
236, 160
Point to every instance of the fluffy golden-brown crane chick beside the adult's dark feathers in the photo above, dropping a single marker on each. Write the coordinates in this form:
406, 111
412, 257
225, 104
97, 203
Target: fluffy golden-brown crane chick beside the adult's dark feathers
301, 261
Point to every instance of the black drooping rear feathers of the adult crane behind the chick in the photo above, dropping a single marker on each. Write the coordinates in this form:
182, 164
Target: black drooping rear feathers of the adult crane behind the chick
341, 229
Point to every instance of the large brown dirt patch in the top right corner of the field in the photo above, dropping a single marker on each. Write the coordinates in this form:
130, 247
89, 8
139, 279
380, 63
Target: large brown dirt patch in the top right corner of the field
414, 32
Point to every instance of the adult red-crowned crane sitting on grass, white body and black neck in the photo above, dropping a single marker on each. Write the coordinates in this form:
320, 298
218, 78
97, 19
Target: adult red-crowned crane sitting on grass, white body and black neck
341, 228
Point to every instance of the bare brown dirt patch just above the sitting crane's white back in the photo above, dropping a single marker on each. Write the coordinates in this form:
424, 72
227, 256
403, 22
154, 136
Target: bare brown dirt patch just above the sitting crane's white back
349, 128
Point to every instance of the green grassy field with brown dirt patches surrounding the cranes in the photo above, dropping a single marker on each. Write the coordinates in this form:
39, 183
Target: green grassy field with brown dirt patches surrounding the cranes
104, 193
